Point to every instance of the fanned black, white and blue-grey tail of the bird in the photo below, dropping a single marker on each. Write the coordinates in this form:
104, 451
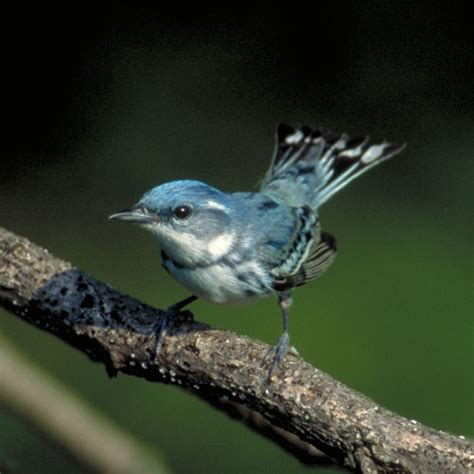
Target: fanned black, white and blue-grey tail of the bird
309, 165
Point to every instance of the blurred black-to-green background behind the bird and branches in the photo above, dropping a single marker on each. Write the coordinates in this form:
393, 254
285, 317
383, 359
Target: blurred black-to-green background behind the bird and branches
104, 103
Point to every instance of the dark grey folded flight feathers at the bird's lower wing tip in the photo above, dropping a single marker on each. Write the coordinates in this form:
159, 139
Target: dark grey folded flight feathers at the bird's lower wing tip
320, 256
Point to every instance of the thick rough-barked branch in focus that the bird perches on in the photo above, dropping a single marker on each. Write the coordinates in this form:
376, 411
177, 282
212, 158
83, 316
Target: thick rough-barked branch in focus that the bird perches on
302, 408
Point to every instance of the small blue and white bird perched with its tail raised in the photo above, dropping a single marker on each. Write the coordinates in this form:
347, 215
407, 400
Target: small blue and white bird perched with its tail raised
241, 246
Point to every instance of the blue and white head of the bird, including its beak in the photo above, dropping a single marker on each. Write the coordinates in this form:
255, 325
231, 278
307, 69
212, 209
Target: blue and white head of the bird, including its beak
190, 219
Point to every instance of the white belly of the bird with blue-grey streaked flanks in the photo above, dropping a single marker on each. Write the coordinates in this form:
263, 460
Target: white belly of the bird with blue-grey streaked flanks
221, 283
